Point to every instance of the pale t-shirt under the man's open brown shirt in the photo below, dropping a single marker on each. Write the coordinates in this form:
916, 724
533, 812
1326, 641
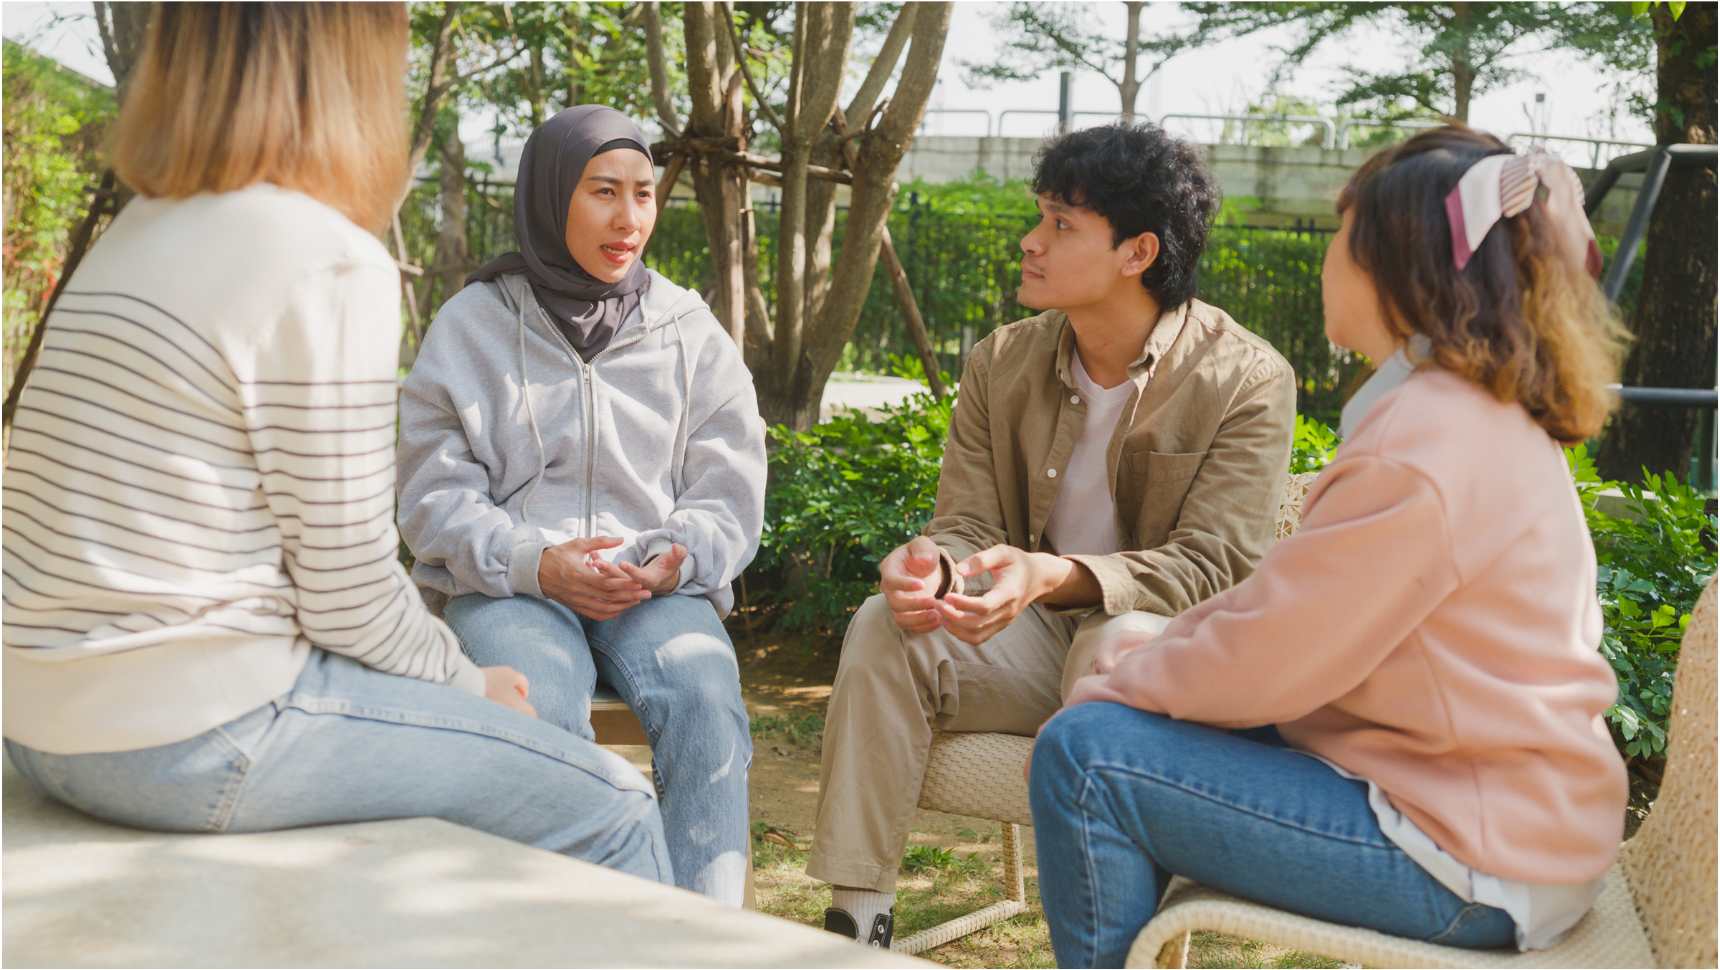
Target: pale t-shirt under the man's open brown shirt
1084, 517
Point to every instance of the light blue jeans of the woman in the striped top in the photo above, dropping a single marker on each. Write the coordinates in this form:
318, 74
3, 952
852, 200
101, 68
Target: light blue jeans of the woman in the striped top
350, 744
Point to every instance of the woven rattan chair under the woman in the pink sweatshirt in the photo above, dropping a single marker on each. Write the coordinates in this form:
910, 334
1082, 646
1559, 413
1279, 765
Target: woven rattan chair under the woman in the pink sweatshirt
1657, 909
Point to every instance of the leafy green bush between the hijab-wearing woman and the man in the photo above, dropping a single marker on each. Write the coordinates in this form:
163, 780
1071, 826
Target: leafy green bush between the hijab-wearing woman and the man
842, 496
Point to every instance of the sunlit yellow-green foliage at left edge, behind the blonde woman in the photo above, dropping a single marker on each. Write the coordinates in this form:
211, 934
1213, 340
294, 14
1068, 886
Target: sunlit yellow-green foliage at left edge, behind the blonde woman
54, 121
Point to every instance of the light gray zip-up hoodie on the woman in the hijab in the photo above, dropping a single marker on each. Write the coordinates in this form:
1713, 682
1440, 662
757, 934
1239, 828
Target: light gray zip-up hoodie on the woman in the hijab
512, 445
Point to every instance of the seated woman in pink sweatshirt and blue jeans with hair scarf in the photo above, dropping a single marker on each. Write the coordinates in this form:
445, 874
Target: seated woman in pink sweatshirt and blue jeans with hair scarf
1397, 721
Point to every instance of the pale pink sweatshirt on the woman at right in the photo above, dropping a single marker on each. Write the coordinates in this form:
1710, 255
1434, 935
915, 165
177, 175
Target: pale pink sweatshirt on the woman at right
1434, 629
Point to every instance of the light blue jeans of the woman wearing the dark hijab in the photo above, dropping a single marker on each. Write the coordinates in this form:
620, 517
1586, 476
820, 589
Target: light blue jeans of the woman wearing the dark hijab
673, 665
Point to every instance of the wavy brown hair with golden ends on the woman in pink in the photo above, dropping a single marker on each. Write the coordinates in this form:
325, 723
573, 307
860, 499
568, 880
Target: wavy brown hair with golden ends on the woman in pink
1520, 319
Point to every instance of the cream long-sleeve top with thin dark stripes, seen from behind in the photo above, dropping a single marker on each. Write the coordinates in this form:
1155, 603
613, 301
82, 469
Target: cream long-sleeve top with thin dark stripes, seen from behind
200, 479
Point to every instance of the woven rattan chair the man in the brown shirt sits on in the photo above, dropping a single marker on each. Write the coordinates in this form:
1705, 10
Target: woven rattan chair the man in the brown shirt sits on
980, 775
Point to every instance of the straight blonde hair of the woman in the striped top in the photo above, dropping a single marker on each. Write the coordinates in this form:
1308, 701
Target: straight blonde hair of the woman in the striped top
310, 97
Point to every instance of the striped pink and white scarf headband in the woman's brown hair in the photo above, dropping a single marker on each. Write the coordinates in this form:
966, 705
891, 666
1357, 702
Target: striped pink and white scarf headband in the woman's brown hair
1502, 187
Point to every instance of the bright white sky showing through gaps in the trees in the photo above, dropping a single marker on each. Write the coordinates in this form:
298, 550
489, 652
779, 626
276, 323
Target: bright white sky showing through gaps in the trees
1212, 80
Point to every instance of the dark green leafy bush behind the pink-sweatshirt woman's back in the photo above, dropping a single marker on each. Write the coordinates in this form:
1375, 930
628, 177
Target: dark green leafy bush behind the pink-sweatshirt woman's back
1654, 563
